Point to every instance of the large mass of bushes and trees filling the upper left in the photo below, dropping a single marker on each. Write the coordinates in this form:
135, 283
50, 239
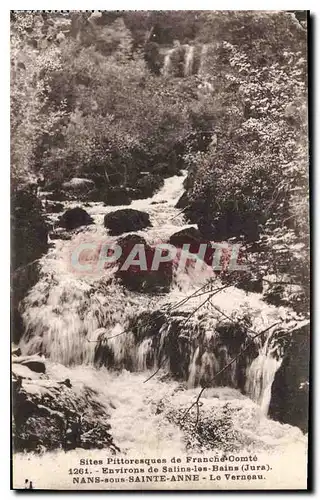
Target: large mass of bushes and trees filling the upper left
88, 113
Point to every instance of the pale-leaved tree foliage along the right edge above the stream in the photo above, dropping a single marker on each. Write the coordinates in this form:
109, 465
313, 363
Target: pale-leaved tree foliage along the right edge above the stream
259, 166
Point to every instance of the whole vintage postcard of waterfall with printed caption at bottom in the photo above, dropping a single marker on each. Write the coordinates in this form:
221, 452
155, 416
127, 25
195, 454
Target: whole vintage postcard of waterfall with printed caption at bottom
160, 249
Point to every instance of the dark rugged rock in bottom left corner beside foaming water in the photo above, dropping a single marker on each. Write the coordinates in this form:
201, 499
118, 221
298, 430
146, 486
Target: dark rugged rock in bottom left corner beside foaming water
48, 414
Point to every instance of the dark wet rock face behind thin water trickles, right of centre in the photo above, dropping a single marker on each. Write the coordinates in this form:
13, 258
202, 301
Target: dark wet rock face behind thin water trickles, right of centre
188, 343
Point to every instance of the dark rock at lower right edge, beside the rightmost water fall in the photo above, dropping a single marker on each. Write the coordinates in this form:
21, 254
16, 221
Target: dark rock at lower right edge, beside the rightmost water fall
290, 389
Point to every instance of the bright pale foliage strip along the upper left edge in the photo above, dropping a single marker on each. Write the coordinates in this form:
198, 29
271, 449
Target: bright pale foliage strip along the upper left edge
32, 114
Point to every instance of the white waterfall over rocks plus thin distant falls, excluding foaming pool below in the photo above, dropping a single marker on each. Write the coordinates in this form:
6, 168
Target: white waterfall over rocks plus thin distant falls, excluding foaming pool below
86, 320
